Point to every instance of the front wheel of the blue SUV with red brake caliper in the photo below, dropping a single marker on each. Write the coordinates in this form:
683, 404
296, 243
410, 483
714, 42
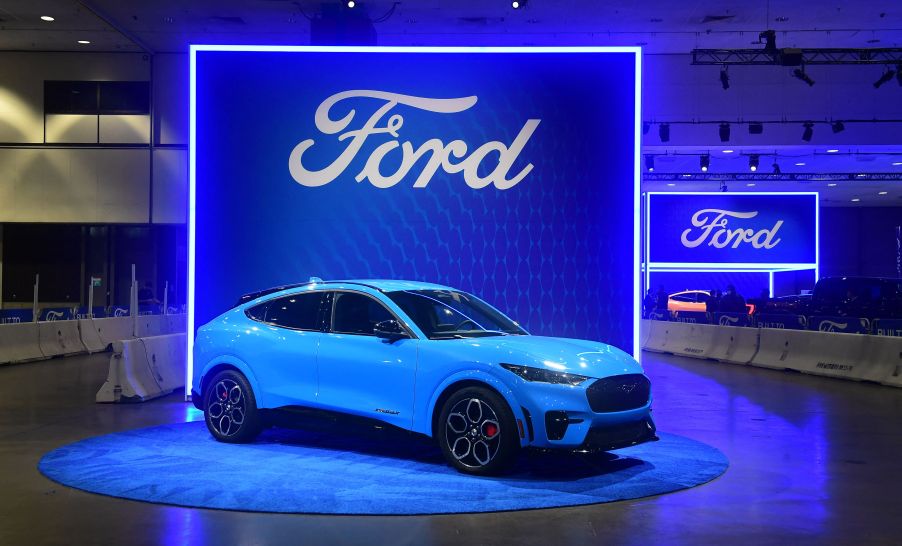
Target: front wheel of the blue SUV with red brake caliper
465, 428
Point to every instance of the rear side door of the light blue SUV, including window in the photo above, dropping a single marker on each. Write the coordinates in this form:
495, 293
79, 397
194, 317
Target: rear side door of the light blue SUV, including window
290, 331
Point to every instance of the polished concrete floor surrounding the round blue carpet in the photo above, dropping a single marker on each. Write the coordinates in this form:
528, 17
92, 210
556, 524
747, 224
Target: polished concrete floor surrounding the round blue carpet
813, 461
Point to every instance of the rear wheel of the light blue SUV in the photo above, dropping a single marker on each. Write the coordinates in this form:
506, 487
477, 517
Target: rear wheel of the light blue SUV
229, 398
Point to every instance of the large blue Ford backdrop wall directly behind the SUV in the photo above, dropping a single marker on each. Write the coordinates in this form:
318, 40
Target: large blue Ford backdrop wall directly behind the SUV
509, 173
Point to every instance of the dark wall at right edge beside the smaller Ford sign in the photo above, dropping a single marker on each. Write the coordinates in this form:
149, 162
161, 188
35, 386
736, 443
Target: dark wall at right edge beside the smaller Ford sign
859, 241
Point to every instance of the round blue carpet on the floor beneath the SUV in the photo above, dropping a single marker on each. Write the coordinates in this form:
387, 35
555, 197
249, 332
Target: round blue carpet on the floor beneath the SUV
372, 471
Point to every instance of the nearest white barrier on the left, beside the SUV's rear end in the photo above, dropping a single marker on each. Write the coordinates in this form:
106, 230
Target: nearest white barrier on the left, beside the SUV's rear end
144, 368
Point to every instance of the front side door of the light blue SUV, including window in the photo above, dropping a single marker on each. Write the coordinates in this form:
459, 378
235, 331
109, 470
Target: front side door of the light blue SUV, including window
363, 374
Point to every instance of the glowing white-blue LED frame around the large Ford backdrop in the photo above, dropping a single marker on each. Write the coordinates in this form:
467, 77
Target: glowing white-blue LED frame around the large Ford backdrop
636, 51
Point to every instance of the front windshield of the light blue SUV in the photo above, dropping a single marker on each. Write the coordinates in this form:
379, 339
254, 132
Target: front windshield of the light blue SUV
446, 314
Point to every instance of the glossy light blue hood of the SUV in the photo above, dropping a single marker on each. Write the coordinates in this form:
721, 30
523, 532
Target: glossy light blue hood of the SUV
578, 356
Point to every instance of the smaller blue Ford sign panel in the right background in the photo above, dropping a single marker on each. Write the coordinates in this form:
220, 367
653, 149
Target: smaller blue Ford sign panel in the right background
755, 230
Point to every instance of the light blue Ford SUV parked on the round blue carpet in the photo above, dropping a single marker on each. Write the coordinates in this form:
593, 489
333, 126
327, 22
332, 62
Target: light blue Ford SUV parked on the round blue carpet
422, 357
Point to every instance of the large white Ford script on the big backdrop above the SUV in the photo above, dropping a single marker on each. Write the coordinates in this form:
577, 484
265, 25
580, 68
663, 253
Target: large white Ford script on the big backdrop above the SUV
453, 157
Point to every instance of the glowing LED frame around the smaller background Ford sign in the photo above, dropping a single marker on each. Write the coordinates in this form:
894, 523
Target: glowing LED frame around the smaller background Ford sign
770, 268
